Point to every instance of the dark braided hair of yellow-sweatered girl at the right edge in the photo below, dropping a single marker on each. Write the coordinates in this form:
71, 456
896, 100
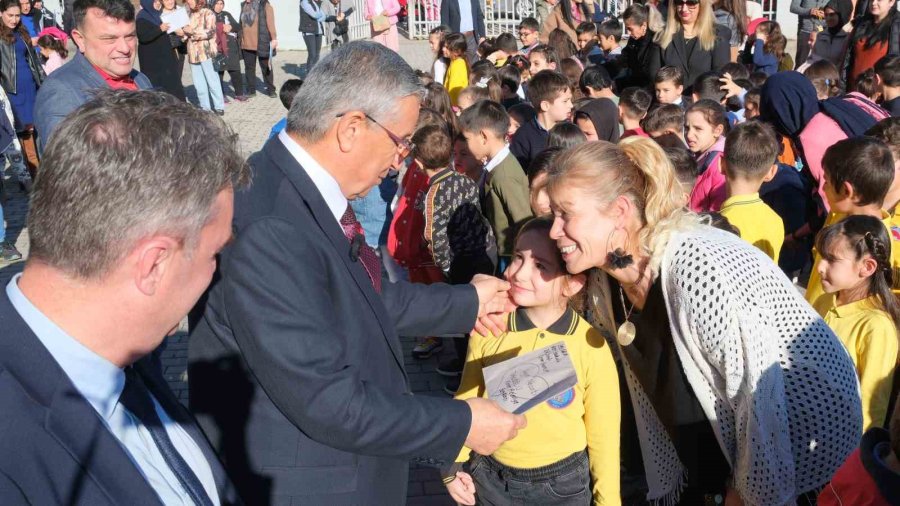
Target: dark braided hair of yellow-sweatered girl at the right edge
866, 235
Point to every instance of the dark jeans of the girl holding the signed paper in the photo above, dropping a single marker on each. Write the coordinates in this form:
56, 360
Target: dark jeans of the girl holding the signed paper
564, 483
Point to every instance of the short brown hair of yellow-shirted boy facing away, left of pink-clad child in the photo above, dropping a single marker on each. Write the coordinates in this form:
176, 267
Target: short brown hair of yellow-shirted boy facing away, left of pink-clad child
751, 149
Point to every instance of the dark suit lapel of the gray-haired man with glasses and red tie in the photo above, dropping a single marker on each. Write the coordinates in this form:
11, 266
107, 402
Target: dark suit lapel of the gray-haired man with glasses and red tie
307, 190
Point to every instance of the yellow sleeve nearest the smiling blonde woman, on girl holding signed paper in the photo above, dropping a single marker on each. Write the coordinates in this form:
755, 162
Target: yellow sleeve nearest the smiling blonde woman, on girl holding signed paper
602, 417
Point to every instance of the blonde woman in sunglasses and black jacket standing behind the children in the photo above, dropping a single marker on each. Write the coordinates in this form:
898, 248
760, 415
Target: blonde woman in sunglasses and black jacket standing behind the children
691, 41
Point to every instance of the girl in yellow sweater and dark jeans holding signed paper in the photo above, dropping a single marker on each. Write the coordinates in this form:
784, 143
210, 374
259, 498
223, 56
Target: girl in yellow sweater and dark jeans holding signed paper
570, 447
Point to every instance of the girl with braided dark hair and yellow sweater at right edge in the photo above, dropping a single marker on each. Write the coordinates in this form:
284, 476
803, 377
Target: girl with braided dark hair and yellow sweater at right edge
855, 268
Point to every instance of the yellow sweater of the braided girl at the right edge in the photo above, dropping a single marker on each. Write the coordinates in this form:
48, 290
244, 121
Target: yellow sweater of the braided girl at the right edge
870, 336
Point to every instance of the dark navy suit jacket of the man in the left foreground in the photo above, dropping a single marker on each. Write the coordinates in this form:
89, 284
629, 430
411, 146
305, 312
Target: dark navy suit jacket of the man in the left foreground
54, 447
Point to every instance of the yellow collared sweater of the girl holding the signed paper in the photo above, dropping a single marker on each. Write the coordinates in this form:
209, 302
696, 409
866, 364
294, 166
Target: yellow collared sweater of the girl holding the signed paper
586, 416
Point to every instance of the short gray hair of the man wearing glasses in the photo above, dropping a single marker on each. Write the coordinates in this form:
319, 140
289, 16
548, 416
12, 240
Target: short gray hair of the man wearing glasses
360, 75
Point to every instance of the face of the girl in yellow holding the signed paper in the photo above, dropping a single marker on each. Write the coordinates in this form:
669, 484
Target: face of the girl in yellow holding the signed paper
535, 274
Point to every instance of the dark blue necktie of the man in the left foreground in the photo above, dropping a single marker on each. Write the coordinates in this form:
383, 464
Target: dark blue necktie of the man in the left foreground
136, 399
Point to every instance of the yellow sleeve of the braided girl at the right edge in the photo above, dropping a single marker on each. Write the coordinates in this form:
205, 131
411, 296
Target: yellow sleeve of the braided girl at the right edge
876, 359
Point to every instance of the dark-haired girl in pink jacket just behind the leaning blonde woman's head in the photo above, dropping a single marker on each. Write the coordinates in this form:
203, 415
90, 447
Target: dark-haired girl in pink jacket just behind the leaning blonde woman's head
705, 125
